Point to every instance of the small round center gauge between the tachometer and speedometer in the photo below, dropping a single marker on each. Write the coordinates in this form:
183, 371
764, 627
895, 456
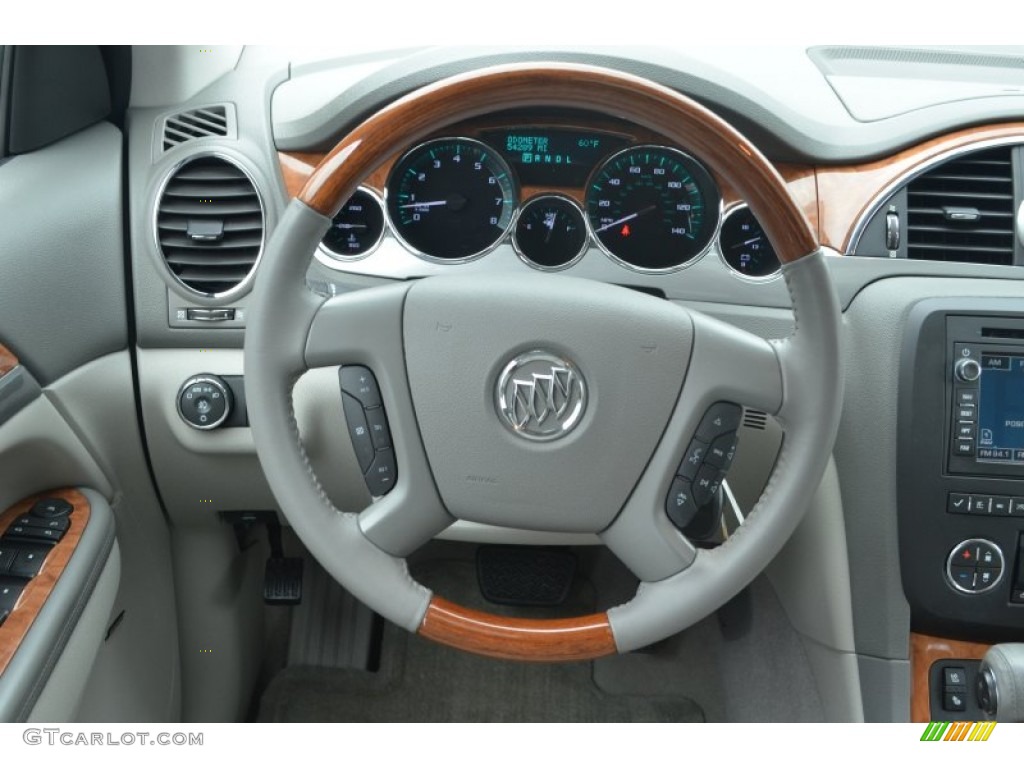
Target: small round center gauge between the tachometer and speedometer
551, 233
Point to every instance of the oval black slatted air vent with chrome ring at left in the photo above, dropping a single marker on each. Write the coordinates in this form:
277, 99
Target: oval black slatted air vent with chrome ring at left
210, 225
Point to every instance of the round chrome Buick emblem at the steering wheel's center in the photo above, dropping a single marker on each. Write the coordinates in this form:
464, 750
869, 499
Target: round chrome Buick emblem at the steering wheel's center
541, 397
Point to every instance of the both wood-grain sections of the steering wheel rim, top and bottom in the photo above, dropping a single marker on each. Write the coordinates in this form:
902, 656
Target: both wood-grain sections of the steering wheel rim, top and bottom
679, 119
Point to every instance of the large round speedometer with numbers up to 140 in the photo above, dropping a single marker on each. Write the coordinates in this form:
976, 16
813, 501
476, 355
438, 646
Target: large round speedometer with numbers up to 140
653, 208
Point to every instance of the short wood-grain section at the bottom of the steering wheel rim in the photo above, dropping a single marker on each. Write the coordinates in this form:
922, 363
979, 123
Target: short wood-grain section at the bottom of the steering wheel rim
521, 639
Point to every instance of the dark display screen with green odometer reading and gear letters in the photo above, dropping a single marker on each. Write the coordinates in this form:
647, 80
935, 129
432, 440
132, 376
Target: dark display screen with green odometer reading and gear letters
554, 157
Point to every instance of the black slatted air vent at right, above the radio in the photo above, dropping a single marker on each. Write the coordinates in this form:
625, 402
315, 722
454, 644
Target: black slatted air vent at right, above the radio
963, 210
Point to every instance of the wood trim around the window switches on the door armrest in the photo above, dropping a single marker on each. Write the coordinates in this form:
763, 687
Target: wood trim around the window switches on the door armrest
20, 622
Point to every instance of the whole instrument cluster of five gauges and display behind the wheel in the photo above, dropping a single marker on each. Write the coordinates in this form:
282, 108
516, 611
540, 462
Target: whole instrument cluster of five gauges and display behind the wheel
552, 192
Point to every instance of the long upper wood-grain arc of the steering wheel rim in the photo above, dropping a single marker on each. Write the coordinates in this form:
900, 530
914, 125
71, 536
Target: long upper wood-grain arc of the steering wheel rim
656, 108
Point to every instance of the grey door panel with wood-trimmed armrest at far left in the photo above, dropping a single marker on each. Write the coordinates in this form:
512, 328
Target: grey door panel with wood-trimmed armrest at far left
104, 645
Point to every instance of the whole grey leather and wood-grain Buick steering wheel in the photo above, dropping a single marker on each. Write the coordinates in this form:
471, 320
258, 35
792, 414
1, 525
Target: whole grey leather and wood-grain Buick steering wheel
650, 372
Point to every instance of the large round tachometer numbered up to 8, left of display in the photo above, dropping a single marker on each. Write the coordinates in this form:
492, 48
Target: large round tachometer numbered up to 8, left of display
451, 199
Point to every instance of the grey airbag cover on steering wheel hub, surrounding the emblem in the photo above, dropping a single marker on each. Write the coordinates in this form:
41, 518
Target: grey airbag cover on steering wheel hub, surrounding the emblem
631, 350
